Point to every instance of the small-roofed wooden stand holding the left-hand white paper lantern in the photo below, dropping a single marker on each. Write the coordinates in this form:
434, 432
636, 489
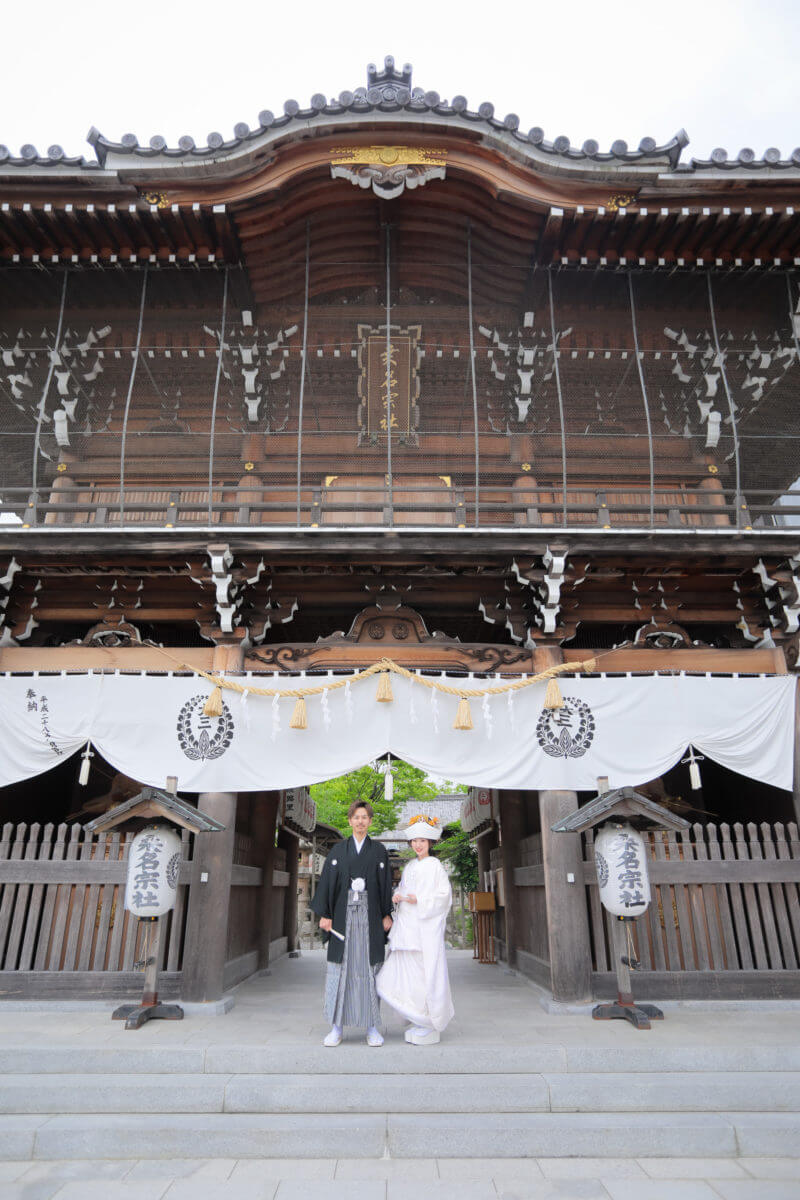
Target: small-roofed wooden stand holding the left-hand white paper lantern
151, 803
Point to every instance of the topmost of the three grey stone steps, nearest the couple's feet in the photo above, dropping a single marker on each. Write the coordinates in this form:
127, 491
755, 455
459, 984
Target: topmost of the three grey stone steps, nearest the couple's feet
356, 1059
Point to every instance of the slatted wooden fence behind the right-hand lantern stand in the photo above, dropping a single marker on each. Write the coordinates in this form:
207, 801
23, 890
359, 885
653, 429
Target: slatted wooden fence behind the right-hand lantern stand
725, 916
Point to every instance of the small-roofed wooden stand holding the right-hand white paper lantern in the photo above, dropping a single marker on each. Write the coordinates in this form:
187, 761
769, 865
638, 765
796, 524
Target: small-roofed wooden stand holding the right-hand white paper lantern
623, 803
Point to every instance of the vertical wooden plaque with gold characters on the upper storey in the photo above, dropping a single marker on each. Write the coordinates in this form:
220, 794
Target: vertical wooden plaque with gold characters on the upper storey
389, 385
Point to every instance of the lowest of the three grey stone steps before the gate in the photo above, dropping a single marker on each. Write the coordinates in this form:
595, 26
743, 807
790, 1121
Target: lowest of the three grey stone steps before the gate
400, 1136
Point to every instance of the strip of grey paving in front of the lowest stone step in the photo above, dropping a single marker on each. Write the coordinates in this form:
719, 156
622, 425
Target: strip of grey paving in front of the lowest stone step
423, 1179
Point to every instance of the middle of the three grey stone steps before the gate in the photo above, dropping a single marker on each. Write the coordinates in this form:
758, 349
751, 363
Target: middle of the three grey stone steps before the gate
446, 1094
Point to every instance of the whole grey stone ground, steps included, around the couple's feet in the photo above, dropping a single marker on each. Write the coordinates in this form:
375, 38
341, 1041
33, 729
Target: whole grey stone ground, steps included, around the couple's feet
213, 1106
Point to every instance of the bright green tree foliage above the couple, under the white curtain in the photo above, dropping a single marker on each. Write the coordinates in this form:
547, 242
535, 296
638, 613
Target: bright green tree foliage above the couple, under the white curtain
335, 796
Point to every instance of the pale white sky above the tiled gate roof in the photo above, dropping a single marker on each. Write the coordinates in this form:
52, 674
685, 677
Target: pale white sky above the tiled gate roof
727, 71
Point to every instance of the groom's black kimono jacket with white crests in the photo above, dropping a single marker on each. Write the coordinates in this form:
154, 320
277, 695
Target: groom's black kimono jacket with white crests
344, 866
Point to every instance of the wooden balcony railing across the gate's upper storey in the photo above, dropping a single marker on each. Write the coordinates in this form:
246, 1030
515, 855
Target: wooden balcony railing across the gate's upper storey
363, 502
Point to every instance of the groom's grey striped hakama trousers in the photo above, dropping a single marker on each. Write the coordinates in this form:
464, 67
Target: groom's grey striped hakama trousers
351, 994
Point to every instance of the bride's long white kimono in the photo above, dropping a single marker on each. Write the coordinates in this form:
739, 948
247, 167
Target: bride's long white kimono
414, 979
